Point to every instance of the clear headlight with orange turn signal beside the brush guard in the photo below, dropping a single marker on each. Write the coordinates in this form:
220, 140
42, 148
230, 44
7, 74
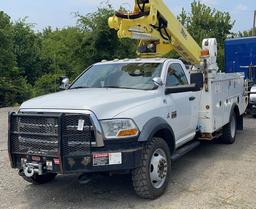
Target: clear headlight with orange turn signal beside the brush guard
119, 128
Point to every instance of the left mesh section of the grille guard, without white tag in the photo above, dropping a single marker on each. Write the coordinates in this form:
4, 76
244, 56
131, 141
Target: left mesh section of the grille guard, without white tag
35, 134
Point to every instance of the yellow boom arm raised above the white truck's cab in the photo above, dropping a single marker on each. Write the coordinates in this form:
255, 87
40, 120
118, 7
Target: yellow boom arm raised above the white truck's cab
158, 30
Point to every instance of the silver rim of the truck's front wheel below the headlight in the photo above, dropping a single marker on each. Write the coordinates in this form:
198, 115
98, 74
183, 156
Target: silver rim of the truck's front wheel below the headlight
158, 168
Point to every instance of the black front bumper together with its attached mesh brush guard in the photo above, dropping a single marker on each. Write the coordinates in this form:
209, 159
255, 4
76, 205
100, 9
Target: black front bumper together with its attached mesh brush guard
82, 157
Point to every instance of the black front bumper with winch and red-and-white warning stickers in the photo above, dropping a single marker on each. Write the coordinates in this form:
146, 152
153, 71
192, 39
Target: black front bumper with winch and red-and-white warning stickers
125, 159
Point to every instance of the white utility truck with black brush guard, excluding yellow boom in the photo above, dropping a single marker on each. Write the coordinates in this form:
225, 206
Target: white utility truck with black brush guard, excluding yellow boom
131, 115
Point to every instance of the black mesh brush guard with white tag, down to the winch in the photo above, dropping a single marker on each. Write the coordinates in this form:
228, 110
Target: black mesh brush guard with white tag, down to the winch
51, 137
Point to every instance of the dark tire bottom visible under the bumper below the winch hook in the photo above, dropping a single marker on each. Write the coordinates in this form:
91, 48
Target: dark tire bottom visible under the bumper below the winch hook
42, 179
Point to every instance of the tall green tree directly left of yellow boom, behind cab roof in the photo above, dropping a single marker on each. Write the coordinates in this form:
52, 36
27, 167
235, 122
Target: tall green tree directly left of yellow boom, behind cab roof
99, 41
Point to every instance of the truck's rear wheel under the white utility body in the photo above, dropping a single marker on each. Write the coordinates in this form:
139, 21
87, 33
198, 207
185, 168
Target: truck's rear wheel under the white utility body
229, 130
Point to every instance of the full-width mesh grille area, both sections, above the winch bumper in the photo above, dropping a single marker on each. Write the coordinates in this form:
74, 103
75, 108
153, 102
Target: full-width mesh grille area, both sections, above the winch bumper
50, 135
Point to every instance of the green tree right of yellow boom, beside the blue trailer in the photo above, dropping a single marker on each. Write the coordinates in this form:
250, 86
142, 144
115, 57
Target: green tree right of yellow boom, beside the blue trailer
204, 22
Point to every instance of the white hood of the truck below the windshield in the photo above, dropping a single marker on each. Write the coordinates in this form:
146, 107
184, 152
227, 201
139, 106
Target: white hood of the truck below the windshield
105, 103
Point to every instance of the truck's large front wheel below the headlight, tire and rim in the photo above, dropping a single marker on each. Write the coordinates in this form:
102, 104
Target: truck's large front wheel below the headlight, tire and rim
149, 182
